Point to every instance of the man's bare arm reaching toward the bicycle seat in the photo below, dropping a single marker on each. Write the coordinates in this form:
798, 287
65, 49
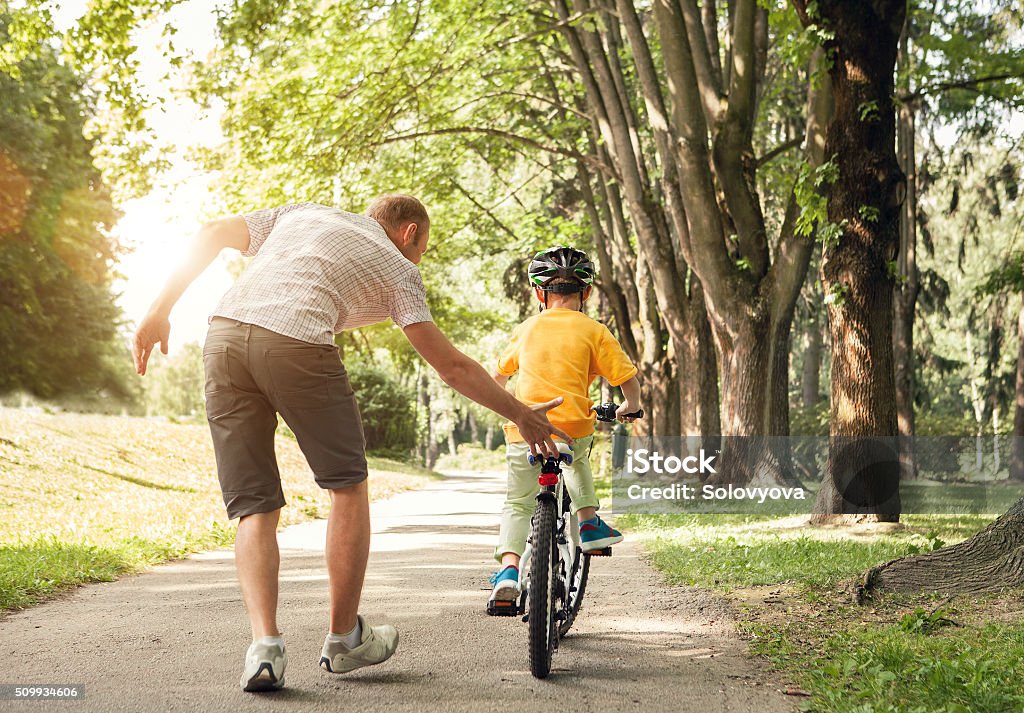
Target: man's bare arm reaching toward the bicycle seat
471, 380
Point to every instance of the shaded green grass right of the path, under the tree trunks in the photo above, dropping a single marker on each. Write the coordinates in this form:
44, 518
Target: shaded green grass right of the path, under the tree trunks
900, 654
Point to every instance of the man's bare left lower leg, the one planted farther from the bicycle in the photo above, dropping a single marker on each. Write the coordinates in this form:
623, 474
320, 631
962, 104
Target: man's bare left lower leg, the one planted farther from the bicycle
258, 561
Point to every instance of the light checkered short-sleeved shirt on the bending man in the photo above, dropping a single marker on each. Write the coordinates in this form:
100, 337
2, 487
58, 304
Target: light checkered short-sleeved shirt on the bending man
319, 271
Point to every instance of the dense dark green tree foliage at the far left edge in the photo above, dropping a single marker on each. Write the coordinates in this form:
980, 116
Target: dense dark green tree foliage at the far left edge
58, 317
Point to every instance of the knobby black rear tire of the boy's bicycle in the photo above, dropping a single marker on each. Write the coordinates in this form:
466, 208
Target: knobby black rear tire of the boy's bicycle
542, 592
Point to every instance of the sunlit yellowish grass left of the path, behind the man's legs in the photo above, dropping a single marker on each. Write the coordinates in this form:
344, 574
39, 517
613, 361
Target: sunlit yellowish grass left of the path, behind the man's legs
88, 498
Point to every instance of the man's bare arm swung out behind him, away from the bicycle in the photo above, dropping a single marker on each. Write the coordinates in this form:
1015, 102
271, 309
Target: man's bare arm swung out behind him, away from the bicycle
212, 238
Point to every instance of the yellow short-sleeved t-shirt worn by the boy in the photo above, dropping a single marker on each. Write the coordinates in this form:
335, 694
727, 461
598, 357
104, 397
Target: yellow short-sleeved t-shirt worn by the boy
559, 353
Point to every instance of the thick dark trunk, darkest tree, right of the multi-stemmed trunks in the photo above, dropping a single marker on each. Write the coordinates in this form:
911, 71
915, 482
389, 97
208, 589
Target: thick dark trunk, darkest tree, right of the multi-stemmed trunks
863, 476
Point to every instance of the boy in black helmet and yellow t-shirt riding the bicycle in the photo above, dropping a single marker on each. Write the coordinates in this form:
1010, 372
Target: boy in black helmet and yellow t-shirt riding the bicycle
559, 354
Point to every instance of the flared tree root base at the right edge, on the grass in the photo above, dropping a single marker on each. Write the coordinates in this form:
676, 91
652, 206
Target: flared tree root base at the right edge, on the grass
991, 561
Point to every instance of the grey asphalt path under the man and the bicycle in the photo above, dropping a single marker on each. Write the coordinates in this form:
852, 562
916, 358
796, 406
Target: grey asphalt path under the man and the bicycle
174, 639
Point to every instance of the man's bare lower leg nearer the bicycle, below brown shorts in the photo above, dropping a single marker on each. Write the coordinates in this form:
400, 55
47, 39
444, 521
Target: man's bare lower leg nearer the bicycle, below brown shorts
348, 550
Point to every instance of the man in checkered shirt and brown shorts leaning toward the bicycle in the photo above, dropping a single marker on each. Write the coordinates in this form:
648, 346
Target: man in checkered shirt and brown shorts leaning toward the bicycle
317, 271
